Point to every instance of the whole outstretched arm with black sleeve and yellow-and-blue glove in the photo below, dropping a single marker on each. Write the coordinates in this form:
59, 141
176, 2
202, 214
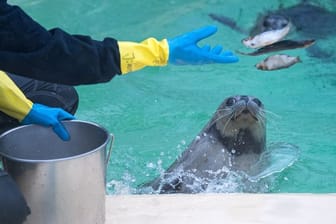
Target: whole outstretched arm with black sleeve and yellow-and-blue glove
28, 49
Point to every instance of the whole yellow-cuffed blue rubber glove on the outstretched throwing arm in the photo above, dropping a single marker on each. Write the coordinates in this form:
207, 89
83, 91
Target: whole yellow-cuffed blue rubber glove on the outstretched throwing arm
180, 50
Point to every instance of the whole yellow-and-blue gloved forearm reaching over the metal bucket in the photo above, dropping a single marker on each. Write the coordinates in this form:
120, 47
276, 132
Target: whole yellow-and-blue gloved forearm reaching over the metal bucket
14, 103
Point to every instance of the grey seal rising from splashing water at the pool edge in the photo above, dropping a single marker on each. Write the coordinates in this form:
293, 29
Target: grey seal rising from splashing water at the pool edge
232, 140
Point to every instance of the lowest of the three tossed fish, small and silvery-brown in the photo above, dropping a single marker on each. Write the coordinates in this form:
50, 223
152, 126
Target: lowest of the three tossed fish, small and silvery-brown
278, 61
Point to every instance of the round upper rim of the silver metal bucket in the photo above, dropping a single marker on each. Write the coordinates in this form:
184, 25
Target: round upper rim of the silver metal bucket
6, 156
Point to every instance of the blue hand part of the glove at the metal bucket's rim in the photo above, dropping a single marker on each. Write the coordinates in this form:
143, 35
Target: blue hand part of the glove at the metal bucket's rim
49, 116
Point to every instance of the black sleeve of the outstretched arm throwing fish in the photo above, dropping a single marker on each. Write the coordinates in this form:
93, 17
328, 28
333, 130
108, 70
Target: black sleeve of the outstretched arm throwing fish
28, 49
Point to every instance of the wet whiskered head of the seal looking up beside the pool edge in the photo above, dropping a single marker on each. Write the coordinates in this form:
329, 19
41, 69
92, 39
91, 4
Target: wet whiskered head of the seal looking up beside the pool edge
240, 121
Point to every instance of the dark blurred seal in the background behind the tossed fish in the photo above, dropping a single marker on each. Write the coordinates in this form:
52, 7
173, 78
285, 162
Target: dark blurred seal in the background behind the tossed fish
309, 20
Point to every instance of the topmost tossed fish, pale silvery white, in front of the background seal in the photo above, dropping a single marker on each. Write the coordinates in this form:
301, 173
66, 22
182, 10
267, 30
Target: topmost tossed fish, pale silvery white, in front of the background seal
266, 38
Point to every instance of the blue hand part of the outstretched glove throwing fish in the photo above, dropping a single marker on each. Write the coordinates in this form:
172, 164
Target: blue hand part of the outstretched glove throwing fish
184, 50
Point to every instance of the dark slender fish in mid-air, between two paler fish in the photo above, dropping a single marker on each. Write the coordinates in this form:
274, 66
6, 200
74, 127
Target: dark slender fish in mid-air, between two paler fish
280, 46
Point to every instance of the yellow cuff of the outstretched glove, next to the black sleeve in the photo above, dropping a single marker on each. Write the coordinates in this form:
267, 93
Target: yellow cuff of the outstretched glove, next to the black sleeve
135, 56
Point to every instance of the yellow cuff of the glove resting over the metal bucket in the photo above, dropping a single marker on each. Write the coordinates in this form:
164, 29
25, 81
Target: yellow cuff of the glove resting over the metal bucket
12, 101
